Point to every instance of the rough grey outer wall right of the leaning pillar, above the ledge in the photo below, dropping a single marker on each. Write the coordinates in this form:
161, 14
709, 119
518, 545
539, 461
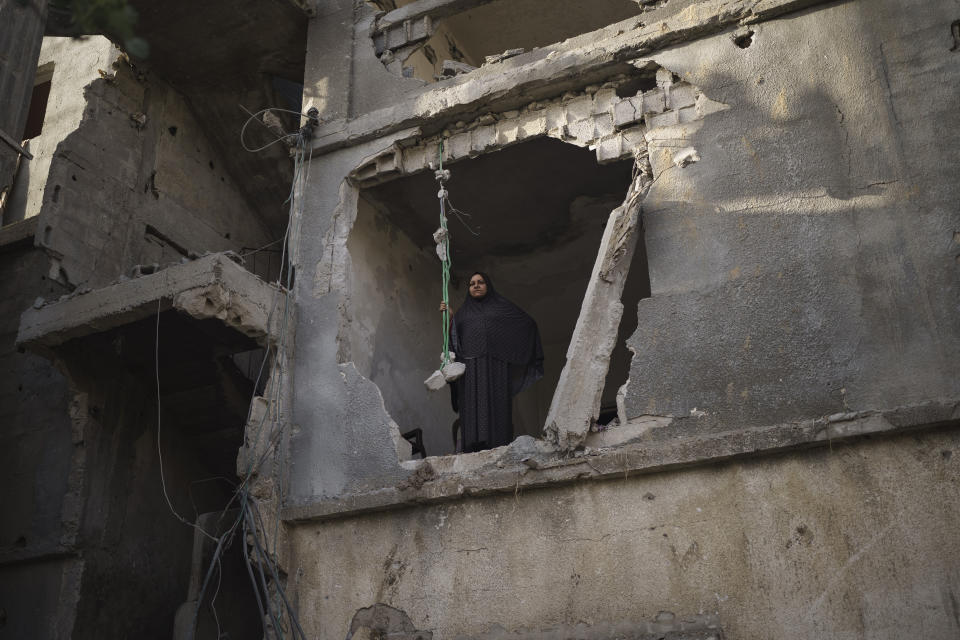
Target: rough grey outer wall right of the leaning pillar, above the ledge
805, 265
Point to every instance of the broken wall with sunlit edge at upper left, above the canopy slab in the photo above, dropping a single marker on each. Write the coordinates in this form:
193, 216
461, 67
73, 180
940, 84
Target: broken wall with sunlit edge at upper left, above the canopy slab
123, 173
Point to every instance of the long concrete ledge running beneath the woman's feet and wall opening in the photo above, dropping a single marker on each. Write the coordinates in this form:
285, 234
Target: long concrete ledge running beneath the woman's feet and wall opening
501, 470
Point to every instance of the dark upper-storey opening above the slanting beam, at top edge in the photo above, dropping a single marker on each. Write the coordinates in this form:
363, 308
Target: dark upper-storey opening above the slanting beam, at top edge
495, 27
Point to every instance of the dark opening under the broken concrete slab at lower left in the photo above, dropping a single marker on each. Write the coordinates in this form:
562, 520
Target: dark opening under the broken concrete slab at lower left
186, 365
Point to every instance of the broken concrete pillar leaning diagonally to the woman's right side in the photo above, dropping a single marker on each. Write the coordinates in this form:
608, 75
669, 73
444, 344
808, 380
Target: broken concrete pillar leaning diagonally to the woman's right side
576, 401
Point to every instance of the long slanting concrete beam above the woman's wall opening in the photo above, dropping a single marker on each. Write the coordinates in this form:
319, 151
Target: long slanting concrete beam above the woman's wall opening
548, 72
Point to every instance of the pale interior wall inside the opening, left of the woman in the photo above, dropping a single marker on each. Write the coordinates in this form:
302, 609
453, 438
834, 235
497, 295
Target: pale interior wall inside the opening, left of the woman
395, 328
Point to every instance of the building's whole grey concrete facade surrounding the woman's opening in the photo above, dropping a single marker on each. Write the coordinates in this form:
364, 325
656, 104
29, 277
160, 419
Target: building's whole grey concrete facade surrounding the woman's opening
802, 263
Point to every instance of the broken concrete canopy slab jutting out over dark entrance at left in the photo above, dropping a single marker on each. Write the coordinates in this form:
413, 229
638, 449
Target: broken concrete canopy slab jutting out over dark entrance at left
210, 287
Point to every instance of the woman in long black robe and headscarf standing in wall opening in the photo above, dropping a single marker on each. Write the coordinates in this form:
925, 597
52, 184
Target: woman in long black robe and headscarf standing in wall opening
500, 346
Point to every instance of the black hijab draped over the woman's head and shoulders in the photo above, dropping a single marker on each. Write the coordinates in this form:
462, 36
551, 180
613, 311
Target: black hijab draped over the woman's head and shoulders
495, 327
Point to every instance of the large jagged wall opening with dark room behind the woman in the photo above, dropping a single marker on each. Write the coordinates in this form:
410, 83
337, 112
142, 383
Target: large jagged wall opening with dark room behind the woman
539, 210
